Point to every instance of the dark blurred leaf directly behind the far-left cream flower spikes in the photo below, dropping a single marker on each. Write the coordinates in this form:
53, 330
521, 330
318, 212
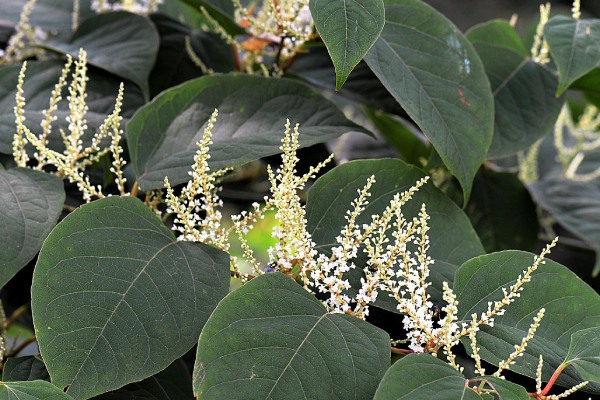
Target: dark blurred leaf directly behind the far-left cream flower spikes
40, 78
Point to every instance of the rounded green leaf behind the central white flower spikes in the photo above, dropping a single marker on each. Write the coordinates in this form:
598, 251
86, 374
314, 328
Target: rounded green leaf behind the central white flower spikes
452, 238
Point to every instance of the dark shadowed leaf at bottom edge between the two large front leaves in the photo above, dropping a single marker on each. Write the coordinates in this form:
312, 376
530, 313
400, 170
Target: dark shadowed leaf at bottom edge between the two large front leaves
173, 383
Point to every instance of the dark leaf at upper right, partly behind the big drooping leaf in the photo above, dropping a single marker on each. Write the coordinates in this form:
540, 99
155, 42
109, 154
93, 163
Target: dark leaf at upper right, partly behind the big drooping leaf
525, 105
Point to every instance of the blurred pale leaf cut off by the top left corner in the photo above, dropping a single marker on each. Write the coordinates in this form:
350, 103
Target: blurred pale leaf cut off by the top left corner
50, 15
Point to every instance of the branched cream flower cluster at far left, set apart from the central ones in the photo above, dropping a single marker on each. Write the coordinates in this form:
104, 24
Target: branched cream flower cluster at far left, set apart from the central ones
75, 158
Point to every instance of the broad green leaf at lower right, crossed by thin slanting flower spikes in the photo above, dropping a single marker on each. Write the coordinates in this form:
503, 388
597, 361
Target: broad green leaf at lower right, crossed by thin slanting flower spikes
571, 305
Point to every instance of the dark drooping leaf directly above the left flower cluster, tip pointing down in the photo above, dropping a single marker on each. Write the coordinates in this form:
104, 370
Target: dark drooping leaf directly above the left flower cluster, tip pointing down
122, 43
